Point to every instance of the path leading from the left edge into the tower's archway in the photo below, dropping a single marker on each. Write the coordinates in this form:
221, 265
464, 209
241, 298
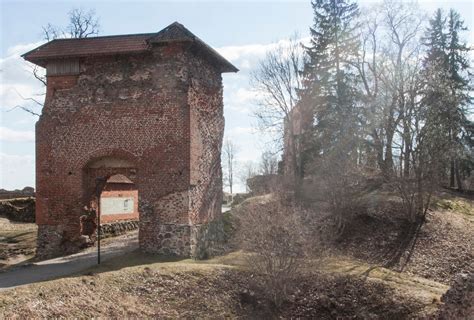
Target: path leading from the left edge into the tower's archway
64, 266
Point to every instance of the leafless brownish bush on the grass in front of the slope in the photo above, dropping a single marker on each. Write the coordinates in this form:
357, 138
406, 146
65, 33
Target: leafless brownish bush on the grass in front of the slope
274, 236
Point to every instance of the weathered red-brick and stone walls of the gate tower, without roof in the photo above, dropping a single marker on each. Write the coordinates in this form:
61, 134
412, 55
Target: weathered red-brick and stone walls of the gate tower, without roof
160, 113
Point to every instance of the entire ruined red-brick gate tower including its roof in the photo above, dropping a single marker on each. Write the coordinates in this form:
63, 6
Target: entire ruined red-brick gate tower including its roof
144, 112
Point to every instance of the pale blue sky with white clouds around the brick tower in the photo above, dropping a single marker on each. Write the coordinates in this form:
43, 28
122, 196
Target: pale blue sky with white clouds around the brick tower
242, 31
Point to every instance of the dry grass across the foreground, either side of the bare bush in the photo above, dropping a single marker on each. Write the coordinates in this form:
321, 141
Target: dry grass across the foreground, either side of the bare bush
143, 286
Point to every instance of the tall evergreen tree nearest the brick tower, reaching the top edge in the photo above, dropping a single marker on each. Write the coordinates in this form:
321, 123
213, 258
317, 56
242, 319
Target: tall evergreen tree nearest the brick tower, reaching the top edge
330, 82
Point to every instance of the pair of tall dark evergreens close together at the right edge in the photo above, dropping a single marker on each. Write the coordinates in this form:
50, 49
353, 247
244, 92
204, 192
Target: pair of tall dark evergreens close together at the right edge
446, 97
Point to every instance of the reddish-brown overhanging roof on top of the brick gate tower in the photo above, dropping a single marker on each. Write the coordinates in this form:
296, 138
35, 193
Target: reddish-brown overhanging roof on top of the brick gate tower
122, 44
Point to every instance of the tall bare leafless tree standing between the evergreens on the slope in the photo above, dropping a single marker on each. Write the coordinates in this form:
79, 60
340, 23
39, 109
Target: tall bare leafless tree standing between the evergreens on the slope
388, 65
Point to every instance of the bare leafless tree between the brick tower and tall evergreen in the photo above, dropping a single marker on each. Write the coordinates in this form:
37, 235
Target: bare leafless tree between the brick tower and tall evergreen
278, 82
